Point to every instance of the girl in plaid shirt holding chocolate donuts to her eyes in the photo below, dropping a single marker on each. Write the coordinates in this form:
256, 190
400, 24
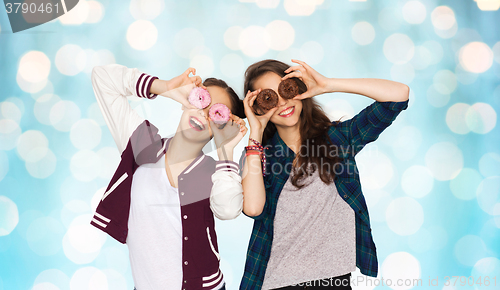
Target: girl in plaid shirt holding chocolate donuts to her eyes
319, 231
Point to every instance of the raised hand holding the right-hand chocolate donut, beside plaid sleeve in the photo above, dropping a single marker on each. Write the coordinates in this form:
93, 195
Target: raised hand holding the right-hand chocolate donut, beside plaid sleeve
316, 83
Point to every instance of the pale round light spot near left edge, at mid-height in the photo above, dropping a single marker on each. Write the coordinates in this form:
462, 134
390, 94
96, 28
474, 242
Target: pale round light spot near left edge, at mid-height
32, 145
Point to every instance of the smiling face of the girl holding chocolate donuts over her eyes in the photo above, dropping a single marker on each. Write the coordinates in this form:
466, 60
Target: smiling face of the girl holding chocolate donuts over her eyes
288, 112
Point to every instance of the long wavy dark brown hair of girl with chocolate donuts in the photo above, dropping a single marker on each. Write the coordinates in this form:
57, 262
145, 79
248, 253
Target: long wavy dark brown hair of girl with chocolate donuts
314, 125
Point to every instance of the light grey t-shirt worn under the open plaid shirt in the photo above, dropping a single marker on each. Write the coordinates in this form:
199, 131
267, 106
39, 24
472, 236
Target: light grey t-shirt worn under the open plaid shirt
314, 235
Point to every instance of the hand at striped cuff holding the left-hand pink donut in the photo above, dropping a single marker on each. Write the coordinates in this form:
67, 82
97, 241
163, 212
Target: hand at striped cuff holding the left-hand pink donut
179, 87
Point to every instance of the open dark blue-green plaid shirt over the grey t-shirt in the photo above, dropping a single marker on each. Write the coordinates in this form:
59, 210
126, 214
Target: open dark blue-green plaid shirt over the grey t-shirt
350, 136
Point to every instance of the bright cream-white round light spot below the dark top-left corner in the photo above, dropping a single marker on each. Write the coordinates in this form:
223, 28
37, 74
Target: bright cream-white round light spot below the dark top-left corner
34, 67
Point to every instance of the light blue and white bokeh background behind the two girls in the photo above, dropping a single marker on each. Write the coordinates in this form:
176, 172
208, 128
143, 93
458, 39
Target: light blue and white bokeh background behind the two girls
432, 179
